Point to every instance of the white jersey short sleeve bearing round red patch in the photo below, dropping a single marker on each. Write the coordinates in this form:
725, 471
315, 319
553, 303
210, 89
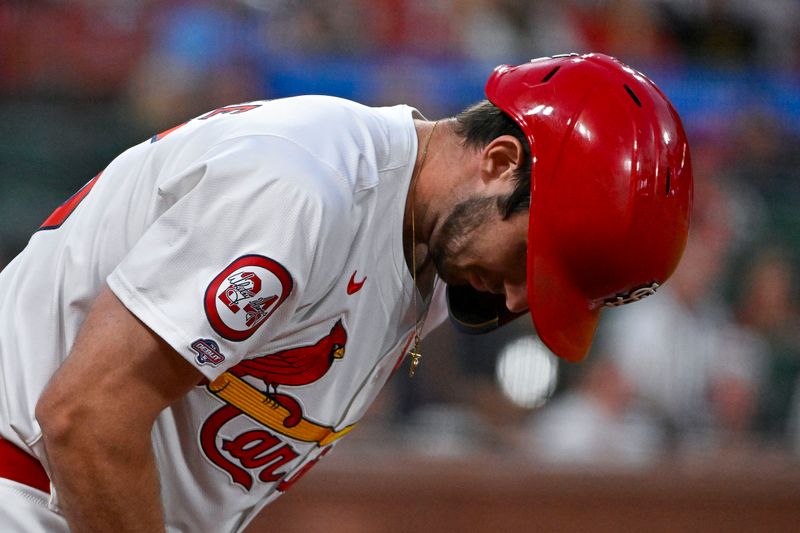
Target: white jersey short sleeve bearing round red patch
219, 273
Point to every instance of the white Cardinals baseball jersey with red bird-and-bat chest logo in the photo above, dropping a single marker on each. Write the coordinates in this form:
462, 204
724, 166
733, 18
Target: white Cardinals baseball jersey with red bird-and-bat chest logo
263, 242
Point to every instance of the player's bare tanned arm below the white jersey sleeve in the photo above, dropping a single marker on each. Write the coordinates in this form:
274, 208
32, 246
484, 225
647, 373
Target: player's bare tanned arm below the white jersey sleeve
97, 414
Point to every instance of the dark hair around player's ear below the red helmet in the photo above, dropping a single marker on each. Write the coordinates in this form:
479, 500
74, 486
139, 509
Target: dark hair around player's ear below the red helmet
480, 124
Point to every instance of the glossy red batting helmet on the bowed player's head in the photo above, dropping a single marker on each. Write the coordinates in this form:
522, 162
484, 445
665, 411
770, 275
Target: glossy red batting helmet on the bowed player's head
611, 189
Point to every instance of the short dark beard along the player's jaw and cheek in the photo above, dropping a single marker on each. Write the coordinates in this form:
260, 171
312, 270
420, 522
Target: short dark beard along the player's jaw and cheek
455, 235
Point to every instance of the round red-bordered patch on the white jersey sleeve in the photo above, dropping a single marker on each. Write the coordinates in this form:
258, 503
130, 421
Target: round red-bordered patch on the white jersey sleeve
245, 294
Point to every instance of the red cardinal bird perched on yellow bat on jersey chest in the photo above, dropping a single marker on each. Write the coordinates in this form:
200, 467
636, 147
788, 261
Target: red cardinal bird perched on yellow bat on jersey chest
296, 366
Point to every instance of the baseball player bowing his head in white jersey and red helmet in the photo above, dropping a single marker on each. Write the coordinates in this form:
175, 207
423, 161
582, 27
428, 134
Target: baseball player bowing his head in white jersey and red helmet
203, 321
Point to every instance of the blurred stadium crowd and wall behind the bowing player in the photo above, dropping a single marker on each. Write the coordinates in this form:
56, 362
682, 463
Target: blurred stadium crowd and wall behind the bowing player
686, 414
